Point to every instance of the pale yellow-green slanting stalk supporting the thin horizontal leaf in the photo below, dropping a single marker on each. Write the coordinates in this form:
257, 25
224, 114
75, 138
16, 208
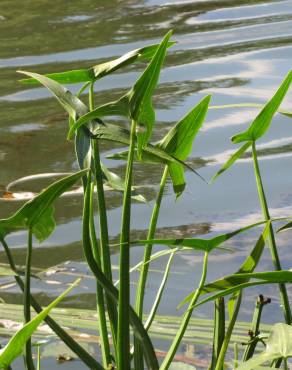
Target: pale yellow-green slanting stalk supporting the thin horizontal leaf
185, 321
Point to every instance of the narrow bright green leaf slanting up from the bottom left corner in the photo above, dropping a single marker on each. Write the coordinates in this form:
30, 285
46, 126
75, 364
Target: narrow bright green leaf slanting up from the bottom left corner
16, 344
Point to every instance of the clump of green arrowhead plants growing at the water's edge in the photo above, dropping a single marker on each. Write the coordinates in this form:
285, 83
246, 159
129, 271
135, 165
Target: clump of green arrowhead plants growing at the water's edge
125, 332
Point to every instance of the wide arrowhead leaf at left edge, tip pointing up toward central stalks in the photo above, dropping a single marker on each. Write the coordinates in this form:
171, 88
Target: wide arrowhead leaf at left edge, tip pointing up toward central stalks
38, 212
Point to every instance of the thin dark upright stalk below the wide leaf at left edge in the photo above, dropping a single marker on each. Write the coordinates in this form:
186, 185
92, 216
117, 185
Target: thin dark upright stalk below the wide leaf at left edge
29, 365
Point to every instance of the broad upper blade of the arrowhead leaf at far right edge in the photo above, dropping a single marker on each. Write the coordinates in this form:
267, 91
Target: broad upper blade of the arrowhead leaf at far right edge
263, 120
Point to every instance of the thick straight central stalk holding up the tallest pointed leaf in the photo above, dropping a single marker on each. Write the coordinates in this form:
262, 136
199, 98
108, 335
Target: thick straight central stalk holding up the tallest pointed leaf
123, 342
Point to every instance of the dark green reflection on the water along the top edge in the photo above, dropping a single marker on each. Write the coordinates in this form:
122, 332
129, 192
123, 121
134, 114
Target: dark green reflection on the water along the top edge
90, 23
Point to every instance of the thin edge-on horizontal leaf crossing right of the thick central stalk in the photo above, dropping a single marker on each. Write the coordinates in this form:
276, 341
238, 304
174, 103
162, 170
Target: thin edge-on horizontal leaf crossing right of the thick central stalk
206, 245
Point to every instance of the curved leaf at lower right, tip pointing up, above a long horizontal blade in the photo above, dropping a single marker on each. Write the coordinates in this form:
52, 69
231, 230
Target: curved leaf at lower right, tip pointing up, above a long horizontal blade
249, 264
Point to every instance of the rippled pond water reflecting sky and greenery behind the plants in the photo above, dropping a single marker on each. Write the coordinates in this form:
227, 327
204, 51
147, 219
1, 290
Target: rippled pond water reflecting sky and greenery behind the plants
238, 51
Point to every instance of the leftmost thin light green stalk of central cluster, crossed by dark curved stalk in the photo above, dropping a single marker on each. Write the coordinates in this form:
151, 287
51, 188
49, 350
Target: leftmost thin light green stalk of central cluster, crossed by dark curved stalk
105, 347
